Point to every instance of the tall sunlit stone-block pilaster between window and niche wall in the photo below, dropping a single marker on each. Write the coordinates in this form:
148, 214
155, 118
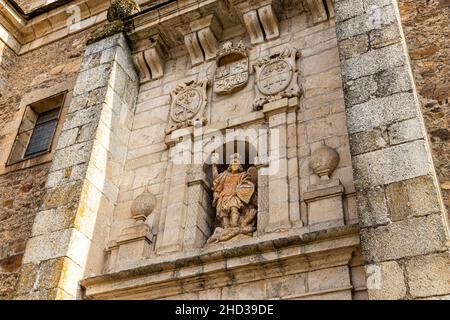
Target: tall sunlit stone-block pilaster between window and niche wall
71, 228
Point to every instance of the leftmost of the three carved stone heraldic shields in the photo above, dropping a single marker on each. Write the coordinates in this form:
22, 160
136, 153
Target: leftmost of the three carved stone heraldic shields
188, 105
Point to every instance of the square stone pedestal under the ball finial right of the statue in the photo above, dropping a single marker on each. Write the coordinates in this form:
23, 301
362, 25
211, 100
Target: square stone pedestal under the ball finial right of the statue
324, 203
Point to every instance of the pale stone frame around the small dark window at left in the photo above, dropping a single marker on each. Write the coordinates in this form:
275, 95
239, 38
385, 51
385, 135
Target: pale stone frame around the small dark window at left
27, 101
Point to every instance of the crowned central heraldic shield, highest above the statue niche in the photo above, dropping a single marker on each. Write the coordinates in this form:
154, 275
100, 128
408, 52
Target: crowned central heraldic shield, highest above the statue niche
232, 68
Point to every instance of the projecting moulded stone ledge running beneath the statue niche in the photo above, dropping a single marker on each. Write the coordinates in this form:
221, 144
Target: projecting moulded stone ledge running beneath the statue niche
294, 265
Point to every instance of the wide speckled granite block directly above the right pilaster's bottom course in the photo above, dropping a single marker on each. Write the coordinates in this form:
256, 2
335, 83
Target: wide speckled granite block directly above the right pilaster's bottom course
405, 238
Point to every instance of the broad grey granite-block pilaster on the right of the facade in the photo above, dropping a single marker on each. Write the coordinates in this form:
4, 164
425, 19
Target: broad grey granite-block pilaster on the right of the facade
403, 247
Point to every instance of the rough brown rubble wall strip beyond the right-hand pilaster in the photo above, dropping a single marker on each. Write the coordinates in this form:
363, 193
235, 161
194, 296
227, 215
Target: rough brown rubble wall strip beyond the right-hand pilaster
426, 26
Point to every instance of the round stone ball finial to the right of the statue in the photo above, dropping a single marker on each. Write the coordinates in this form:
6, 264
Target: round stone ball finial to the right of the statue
324, 161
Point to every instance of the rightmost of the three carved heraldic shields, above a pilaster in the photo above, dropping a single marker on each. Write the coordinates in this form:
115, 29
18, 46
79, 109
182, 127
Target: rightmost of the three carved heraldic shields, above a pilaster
276, 77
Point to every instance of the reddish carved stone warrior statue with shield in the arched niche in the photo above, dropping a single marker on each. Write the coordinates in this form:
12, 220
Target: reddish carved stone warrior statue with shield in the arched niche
235, 199
